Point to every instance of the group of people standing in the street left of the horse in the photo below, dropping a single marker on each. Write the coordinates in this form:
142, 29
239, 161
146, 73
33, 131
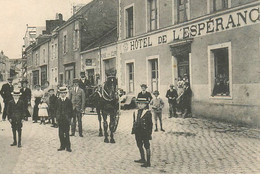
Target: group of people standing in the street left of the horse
63, 109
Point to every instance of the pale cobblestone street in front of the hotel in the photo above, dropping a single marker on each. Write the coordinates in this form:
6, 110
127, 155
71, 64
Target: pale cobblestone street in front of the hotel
187, 146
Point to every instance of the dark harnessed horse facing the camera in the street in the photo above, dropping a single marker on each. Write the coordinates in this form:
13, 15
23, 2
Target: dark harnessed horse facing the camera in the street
106, 102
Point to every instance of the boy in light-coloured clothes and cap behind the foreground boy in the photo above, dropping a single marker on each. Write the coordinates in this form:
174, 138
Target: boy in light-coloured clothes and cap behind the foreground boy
157, 104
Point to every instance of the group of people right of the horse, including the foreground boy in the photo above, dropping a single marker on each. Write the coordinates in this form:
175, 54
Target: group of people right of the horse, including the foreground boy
148, 106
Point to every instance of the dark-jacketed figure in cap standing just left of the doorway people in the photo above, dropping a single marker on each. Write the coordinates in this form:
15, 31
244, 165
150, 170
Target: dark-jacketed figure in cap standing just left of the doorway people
172, 95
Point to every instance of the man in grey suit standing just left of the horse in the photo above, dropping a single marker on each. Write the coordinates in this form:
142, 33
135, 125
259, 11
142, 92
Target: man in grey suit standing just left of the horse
77, 96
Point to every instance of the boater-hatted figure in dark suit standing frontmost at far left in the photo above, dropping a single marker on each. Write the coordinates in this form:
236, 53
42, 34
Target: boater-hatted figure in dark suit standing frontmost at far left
16, 113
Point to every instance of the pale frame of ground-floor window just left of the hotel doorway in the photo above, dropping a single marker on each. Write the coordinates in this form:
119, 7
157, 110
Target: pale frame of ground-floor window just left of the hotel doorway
159, 71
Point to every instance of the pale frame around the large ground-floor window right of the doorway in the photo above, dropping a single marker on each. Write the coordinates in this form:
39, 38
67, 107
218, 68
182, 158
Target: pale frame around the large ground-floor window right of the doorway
210, 56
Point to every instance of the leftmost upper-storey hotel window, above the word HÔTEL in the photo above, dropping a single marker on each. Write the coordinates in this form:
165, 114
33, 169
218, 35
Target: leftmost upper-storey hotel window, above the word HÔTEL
129, 22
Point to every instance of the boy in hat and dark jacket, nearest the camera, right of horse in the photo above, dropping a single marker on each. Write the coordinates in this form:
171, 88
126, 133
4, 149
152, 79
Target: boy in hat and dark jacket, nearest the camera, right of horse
143, 131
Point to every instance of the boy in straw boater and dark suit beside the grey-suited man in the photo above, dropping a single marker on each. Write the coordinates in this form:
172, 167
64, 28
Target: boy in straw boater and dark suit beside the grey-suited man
64, 113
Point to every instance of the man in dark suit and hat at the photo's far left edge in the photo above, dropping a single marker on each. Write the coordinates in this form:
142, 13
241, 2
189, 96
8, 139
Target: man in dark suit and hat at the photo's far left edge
5, 92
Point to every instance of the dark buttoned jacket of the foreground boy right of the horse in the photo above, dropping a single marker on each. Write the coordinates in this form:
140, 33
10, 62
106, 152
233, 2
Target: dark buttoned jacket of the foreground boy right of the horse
144, 123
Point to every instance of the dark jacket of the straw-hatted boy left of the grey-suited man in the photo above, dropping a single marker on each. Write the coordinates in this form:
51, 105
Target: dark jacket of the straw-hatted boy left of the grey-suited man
64, 111
